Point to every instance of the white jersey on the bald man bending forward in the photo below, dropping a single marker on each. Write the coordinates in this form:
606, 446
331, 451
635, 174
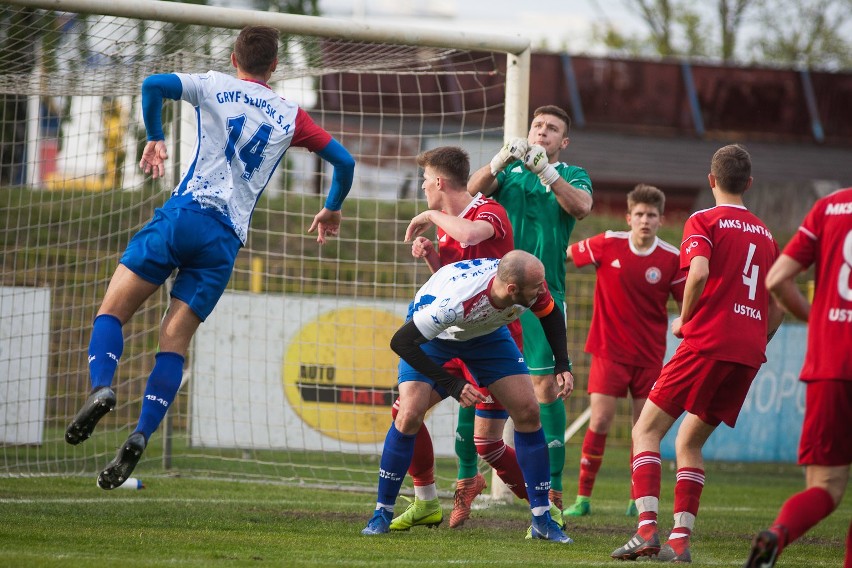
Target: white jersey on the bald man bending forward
454, 303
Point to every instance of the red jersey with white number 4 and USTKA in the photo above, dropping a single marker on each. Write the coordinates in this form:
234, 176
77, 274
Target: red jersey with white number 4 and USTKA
730, 319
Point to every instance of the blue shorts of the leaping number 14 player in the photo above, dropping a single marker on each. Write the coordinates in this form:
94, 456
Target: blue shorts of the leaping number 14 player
200, 247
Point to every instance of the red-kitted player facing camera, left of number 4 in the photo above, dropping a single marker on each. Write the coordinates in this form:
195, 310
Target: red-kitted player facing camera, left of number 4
636, 274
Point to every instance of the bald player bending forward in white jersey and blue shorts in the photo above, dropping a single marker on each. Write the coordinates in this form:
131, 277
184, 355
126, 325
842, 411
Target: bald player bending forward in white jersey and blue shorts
461, 312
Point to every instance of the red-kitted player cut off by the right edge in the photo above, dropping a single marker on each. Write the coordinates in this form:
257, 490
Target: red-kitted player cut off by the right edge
825, 448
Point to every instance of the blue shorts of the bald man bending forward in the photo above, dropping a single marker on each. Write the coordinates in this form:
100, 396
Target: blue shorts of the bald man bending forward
488, 358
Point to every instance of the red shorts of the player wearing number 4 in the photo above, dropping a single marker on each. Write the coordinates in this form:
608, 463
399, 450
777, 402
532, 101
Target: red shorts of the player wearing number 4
710, 389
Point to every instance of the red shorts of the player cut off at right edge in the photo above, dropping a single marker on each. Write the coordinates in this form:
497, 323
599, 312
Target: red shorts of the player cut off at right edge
827, 429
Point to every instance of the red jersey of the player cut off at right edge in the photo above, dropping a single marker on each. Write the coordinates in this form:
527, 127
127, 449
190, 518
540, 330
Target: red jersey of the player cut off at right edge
825, 239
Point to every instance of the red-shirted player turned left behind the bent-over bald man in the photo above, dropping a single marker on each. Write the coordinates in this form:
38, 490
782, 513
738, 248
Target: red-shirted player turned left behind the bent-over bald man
468, 227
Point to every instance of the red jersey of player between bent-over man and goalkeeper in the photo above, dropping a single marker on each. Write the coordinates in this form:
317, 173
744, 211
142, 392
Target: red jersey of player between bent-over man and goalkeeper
501, 242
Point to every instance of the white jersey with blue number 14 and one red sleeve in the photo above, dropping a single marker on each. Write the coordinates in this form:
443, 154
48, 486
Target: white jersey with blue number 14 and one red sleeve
243, 130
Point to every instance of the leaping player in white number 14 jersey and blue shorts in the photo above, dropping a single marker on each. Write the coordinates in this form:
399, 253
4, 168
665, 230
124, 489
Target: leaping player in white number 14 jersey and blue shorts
202, 226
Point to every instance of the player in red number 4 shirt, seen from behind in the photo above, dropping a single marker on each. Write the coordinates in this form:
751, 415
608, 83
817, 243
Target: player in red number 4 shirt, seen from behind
725, 322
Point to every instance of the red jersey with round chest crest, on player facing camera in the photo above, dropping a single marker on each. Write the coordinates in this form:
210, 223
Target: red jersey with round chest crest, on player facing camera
629, 317
